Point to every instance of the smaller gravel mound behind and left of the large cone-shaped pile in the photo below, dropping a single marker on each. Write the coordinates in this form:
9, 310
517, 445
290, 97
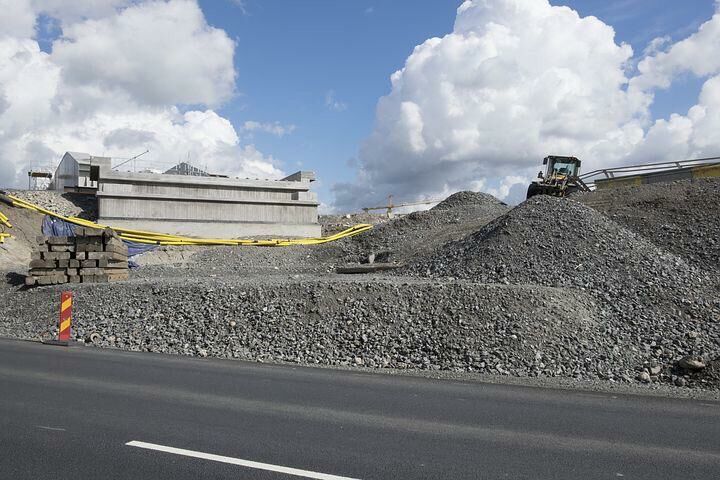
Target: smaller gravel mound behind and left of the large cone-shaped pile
419, 232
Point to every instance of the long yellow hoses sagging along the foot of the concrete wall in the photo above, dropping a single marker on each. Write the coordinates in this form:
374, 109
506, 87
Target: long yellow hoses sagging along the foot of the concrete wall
155, 238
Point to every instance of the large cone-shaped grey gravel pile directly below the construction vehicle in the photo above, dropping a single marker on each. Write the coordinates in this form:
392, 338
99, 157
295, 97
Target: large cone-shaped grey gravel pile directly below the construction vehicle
653, 307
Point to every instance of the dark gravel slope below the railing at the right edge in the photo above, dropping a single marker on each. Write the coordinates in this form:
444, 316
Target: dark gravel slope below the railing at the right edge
682, 217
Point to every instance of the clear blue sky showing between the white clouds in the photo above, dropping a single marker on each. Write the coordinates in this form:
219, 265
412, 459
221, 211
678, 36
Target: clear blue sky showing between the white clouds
291, 54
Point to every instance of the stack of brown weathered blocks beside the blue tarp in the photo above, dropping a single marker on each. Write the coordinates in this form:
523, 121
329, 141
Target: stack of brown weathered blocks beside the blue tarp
91, 256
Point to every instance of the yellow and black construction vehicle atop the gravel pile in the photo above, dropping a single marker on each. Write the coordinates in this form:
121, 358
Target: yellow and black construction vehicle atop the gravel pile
560, 179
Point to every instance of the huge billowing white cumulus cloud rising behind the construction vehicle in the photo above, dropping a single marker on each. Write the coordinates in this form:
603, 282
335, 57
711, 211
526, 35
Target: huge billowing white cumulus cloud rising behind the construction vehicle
515, 80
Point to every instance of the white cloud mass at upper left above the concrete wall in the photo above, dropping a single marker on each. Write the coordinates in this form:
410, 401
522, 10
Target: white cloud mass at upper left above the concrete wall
124, 76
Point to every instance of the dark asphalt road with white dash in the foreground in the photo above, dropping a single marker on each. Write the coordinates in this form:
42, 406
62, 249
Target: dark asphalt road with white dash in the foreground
71, 412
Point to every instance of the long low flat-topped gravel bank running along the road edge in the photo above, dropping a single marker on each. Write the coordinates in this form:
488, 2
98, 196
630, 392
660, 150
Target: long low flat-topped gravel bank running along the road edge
378, 323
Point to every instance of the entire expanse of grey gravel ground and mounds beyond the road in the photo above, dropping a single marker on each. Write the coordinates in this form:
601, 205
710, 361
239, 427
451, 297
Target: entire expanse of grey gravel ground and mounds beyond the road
584, 288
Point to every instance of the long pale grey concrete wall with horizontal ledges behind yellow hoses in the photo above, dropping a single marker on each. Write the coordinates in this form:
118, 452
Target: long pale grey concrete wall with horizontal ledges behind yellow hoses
208, 206
